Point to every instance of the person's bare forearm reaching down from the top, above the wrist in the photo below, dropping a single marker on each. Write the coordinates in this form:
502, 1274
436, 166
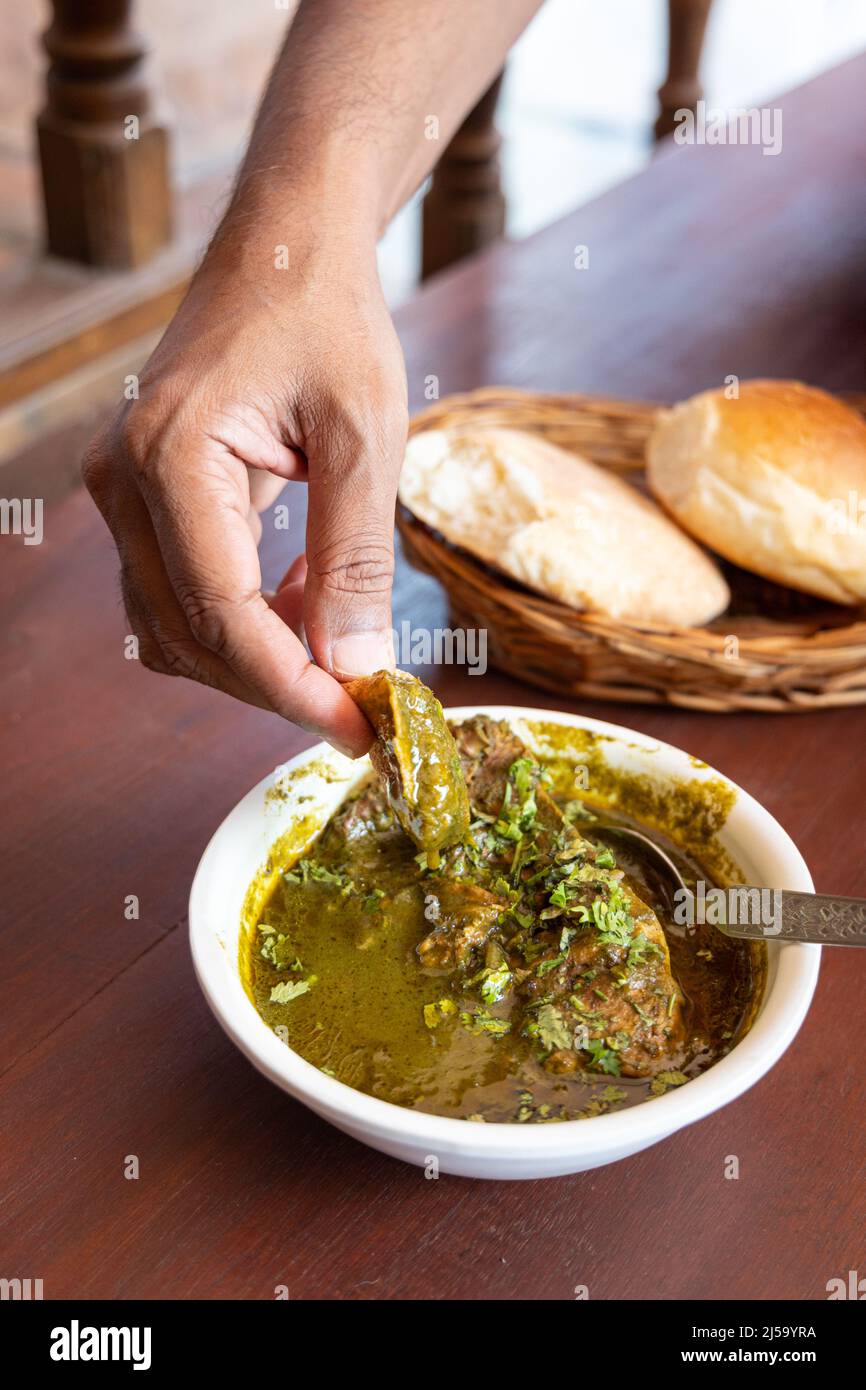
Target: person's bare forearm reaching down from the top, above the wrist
343, 137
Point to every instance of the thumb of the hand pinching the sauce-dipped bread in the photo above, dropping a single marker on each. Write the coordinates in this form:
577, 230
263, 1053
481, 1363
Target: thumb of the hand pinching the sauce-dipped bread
351, 554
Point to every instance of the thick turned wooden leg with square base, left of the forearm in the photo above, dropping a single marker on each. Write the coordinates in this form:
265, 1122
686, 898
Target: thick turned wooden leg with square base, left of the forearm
105, 158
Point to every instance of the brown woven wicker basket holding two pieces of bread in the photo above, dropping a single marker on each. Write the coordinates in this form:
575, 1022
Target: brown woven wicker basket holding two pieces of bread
774, 650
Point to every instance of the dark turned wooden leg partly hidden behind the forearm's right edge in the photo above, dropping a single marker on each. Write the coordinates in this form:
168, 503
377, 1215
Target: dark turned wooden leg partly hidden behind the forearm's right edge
465, 208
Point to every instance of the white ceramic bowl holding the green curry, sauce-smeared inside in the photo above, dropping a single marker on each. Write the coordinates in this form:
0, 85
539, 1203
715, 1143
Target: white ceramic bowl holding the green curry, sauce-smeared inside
755, 842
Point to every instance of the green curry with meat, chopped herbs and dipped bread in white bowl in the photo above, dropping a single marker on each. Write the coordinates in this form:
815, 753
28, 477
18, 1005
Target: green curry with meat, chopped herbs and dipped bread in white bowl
466, 943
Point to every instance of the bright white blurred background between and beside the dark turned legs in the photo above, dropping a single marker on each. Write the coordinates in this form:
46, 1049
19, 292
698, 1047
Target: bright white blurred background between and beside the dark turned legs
579, 99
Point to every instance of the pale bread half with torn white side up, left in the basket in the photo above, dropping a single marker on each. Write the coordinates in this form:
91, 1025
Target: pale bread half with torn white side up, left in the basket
559, 525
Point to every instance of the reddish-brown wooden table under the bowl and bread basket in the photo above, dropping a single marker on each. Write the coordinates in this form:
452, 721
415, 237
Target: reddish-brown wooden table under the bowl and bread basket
712, 262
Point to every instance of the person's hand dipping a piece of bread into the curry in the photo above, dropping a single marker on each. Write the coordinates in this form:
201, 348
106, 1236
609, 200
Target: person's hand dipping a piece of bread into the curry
259, 380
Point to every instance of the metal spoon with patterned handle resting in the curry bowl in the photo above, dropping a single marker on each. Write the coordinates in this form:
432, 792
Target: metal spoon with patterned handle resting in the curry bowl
755, 914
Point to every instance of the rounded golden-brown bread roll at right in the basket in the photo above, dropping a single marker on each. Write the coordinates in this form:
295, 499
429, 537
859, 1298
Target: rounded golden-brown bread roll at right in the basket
767, 480
